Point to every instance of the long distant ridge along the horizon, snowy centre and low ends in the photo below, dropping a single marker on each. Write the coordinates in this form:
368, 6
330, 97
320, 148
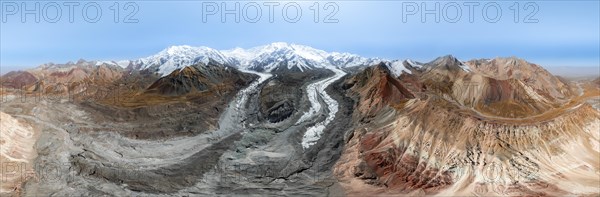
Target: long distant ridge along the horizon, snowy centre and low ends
273, 57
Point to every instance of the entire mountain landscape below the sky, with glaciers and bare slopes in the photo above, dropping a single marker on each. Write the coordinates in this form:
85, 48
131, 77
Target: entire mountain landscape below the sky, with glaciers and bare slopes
287, 119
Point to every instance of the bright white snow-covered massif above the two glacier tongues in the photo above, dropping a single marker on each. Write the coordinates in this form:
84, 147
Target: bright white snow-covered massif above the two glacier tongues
267, 58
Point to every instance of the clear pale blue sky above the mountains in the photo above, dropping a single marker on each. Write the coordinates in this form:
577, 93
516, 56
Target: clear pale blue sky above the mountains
550, 33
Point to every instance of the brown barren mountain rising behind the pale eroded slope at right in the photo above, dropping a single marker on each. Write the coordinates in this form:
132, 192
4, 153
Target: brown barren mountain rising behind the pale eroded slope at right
501, 92
